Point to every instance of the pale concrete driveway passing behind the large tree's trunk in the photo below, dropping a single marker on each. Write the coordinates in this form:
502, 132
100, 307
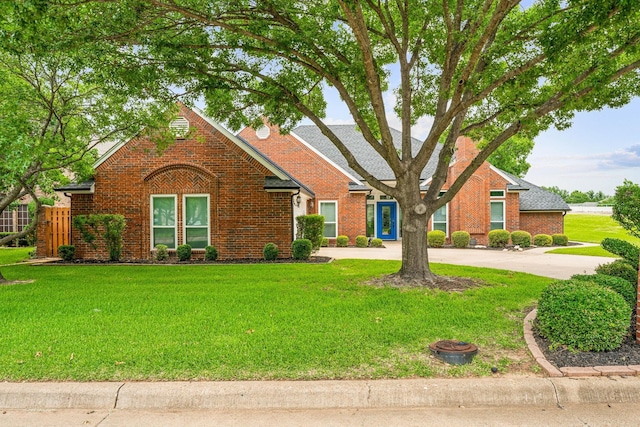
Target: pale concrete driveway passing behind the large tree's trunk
534, 261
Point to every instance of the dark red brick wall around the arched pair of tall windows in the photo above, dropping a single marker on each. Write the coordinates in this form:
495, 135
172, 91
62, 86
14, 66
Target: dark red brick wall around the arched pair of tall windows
243, 216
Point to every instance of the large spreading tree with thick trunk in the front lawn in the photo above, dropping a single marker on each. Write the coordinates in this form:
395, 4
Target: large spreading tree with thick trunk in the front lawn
489, 69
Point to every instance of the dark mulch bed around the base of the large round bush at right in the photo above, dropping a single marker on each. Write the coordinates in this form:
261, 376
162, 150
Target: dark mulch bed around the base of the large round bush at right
627, 354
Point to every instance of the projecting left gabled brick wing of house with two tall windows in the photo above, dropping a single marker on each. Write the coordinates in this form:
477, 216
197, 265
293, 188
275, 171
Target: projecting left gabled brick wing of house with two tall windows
208, 188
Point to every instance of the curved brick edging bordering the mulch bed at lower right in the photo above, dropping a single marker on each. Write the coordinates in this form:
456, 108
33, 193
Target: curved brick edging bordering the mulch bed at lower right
570, 371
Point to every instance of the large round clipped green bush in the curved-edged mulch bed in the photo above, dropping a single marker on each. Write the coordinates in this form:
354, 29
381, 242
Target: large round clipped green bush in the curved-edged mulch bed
583, 316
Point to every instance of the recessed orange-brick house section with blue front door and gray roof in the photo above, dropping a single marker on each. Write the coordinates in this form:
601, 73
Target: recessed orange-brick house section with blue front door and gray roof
491, 199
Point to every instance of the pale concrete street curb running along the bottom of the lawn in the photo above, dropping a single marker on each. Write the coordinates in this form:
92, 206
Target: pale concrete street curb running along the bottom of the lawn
418, 393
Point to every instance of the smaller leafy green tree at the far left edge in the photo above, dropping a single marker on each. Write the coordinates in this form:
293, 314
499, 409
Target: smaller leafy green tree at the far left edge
54, 111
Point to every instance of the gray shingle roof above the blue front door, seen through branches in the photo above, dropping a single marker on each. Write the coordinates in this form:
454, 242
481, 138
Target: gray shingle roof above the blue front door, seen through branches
363, 152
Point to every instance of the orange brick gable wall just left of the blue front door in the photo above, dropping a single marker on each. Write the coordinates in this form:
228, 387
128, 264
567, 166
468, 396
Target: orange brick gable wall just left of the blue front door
328, 183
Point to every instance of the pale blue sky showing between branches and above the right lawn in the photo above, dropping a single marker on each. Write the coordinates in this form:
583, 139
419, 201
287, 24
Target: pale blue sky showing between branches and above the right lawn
598, 152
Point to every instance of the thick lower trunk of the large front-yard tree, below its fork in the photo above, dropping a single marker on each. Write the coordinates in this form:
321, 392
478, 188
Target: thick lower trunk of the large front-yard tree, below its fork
415, 259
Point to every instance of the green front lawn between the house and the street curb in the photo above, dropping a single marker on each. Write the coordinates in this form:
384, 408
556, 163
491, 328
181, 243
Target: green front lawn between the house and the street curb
266, 321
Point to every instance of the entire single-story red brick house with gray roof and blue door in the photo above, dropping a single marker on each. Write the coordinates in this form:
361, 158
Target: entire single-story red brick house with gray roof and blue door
239, 192
